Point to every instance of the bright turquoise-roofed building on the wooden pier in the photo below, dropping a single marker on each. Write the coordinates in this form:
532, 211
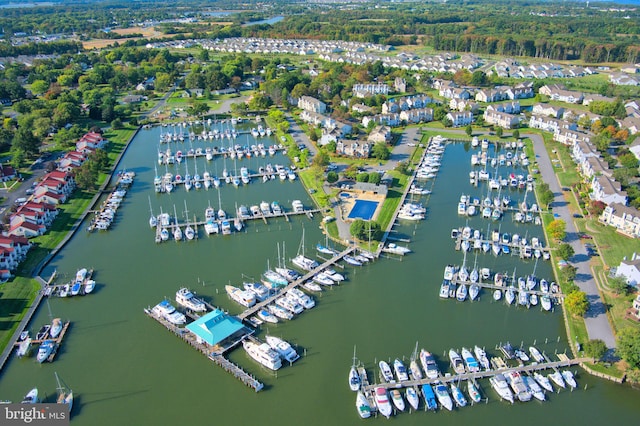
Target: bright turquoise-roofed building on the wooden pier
215, 327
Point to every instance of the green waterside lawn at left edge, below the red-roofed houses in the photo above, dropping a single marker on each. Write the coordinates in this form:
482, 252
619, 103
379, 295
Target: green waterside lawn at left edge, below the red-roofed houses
17, 296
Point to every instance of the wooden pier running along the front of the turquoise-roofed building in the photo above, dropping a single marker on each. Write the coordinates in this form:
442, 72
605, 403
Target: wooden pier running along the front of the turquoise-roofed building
215, 354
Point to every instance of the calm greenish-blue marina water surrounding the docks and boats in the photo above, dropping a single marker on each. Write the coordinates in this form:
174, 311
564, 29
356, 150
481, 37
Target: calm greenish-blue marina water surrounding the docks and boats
125, 368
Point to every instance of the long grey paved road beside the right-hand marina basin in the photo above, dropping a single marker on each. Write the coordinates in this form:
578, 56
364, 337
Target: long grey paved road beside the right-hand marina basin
596, 320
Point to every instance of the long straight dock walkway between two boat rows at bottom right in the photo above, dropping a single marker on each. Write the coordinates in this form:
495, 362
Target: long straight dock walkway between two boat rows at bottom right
563, 361
